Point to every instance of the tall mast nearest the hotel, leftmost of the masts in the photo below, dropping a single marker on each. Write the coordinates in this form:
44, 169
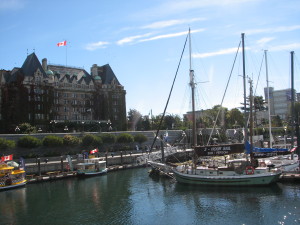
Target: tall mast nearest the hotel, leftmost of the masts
192, 84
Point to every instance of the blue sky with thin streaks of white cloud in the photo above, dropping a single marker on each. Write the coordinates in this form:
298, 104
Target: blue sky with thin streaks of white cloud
143, 40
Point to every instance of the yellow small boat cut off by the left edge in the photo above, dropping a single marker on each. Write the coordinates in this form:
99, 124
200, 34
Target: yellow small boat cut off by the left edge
10, 177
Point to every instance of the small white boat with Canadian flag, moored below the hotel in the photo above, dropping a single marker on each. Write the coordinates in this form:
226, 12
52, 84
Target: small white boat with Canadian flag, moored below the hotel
91, 167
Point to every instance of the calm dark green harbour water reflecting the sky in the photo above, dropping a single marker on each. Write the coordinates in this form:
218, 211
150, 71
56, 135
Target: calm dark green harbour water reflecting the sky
132, 197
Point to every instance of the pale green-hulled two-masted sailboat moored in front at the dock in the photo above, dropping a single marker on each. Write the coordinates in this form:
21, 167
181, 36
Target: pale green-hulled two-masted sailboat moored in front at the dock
239, 172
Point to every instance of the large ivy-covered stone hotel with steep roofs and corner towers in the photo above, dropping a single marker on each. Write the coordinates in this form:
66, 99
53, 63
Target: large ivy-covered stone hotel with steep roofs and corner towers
48, 95
